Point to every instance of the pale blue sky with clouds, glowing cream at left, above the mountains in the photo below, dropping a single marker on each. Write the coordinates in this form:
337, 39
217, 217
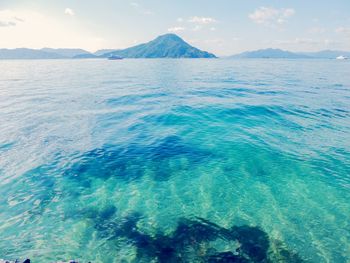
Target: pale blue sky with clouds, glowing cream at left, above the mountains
224, 27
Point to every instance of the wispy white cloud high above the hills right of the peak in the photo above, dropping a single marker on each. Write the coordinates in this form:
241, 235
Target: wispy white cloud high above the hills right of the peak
271, 16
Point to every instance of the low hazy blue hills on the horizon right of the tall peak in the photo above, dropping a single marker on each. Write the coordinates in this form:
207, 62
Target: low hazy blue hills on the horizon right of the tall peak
279, 53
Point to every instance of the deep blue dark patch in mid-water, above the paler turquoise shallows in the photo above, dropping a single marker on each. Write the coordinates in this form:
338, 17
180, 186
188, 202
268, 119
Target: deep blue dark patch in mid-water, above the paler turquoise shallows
129, 162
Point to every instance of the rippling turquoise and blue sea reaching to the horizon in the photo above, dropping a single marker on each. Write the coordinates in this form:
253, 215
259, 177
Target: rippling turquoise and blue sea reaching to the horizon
166, 159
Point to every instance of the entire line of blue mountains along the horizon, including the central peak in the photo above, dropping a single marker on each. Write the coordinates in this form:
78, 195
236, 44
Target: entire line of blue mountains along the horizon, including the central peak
165, 46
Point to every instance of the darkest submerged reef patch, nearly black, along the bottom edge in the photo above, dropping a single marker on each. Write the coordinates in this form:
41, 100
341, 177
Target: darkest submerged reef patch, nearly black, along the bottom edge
196, 240
